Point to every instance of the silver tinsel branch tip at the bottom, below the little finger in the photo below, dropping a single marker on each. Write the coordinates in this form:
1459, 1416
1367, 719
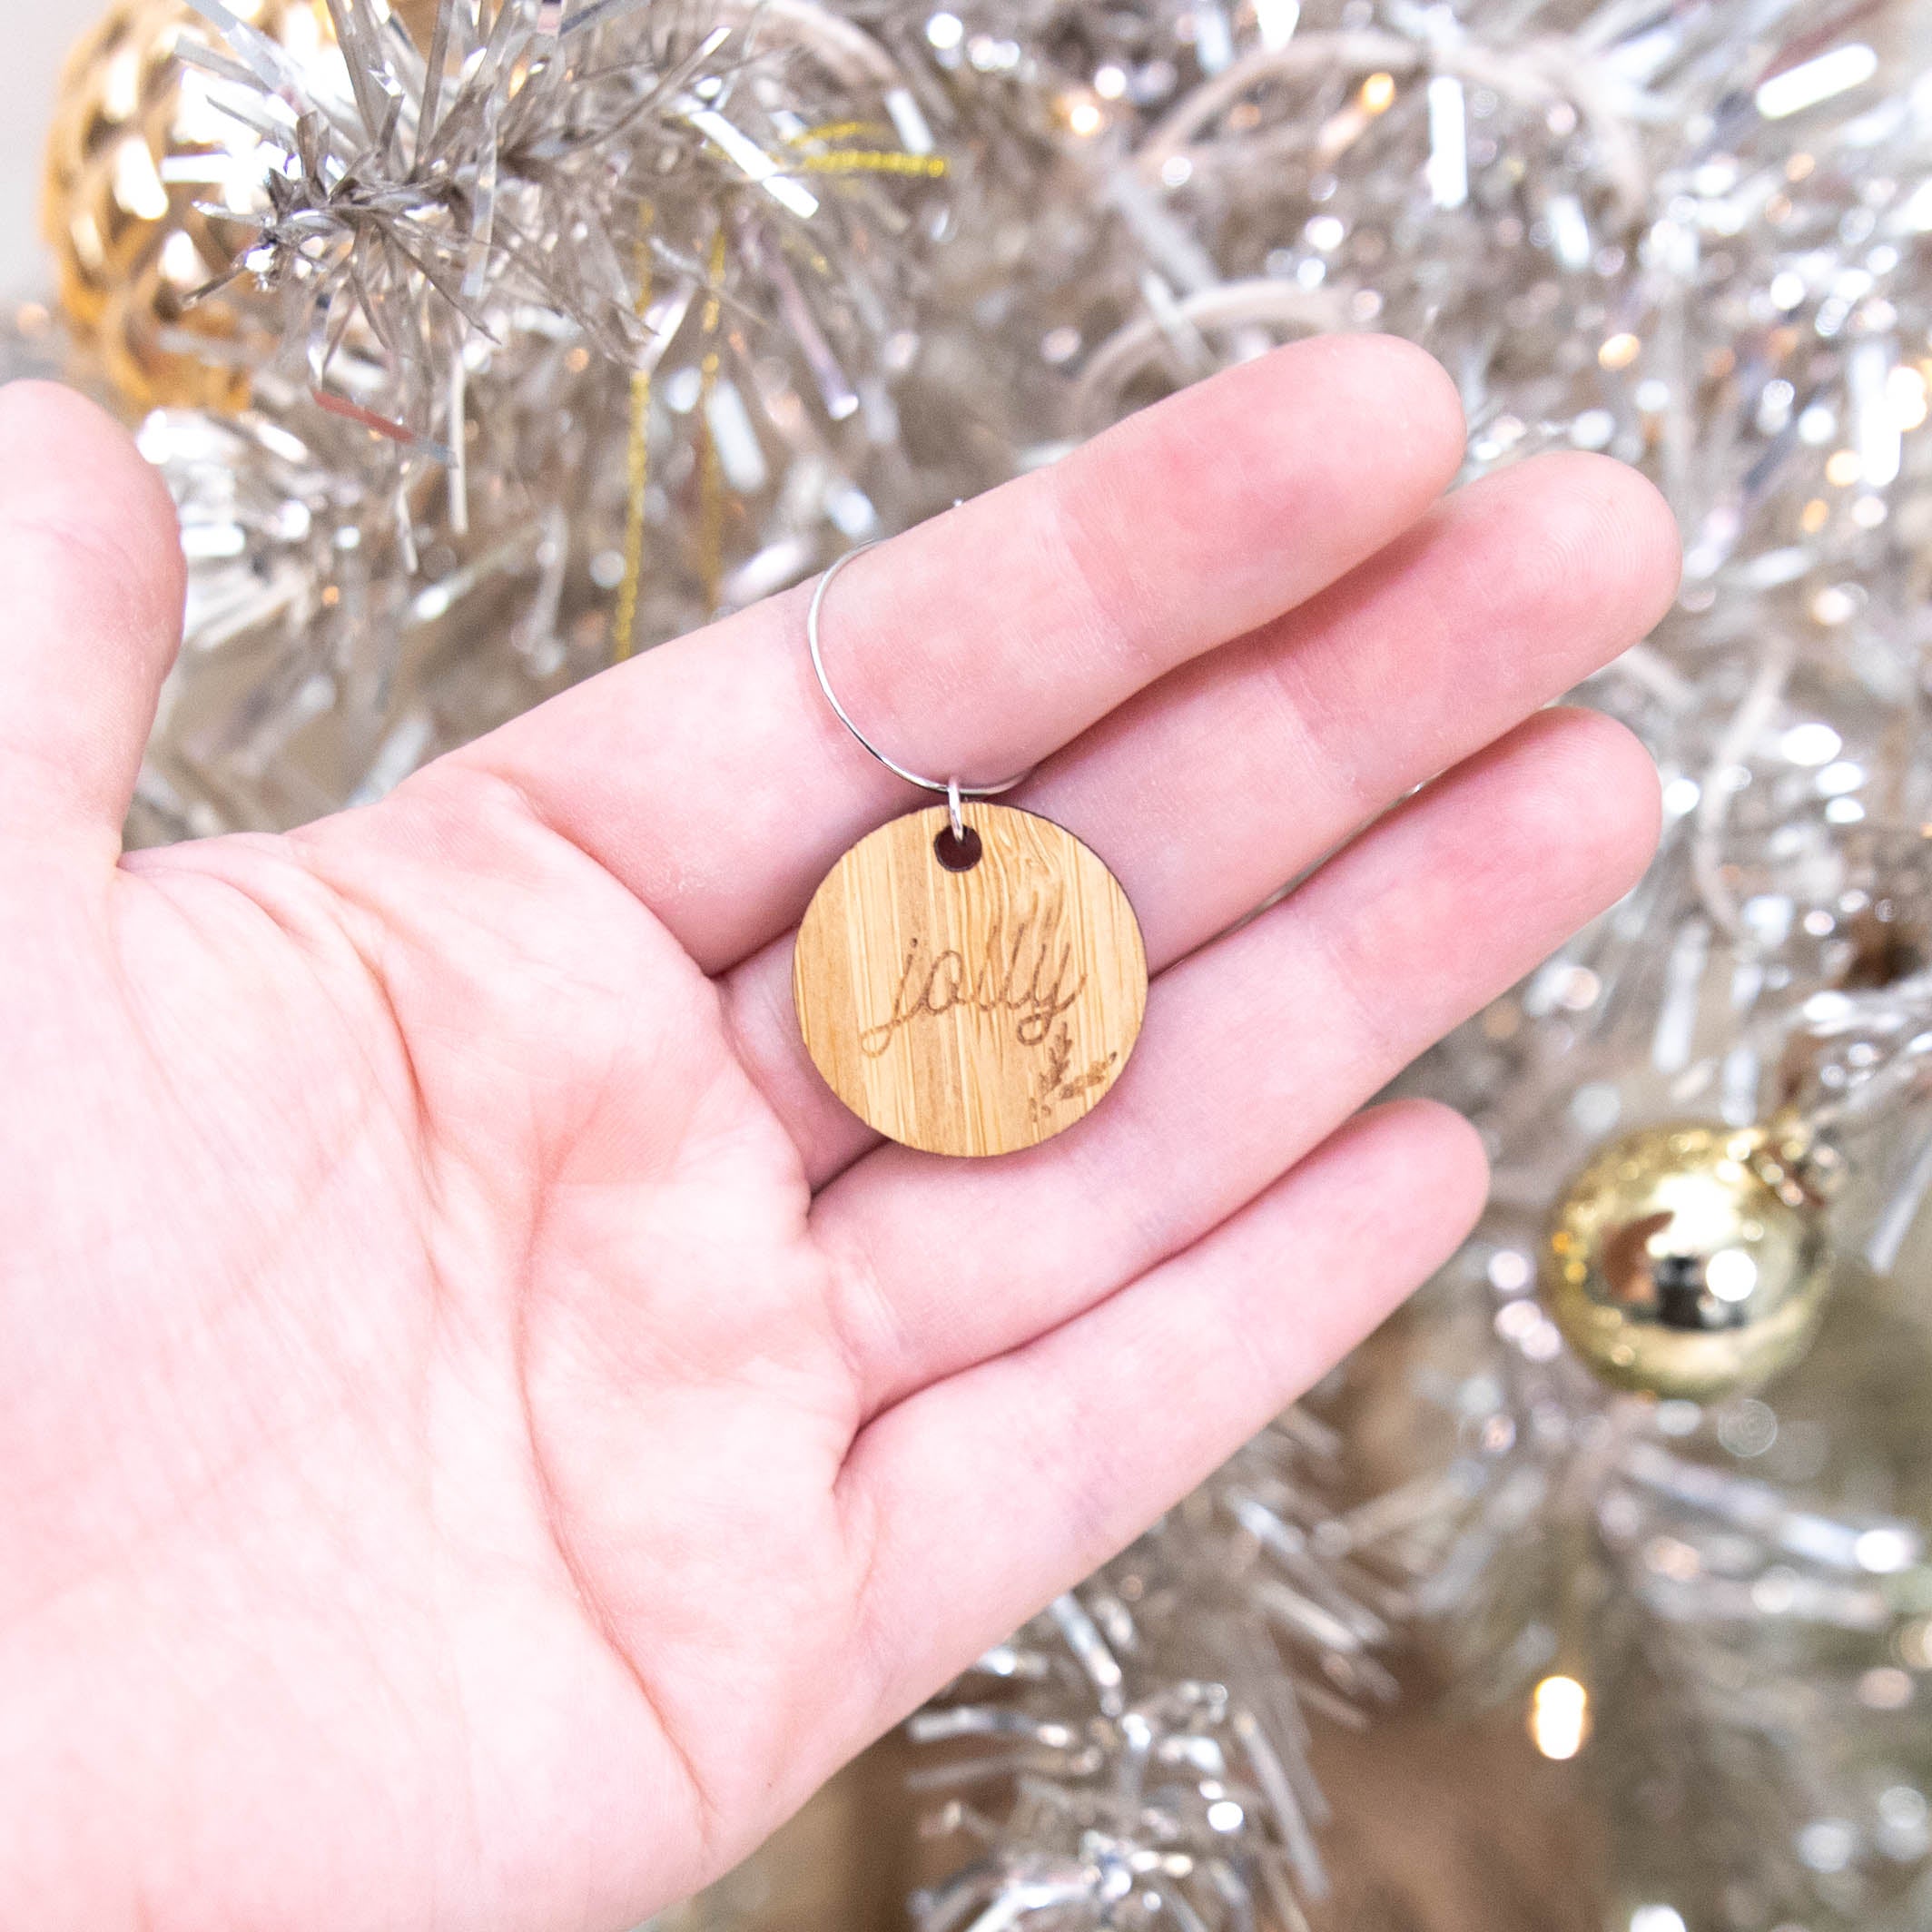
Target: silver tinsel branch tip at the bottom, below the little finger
1141, 1751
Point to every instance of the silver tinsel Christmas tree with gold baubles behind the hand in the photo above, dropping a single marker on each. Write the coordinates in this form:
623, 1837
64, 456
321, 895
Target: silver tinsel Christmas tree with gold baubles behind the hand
488, 343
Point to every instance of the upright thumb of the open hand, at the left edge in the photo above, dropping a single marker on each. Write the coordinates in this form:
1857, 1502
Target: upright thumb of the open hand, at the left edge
92, 582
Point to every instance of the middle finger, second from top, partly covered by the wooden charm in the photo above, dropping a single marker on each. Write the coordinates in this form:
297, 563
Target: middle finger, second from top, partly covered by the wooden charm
1224, 781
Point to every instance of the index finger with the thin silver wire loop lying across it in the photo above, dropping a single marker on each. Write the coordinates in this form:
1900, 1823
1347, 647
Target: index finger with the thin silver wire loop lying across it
712, 776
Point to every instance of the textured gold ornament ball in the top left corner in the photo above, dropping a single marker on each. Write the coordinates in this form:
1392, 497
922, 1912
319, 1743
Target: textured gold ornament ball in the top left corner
136, 159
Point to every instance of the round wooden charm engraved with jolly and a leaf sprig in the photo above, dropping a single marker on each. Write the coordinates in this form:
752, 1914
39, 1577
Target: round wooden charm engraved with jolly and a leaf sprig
971, 998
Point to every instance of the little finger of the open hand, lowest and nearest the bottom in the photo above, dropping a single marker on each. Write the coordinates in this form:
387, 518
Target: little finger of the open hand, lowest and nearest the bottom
1081, 1438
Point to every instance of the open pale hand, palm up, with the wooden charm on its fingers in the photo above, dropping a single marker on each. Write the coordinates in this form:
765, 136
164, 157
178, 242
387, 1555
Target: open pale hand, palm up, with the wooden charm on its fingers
484, 1433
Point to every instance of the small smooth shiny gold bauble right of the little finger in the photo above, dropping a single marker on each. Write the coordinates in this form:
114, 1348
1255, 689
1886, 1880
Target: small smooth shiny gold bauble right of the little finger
1688, 1261
